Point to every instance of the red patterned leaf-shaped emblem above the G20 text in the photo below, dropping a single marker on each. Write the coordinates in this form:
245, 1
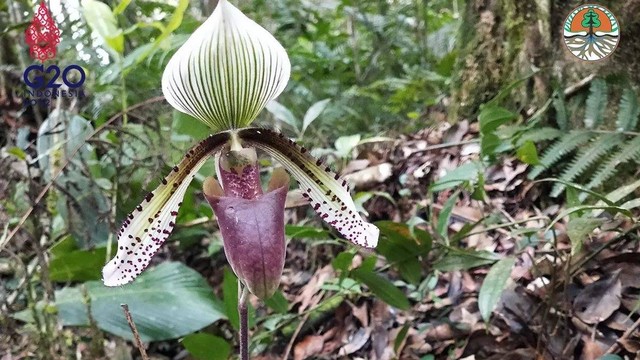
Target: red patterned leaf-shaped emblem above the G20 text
42, 35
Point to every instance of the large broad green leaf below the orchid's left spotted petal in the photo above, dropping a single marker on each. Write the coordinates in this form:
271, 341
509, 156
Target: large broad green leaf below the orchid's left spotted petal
166, 302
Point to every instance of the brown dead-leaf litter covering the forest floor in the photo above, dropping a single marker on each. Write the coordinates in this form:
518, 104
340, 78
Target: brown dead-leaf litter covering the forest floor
557, 303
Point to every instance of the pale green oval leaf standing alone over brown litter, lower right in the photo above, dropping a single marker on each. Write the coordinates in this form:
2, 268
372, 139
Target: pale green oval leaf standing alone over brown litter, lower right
493, 285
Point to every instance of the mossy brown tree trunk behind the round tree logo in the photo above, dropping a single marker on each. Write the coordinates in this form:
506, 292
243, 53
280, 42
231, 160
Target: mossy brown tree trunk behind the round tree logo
502, 41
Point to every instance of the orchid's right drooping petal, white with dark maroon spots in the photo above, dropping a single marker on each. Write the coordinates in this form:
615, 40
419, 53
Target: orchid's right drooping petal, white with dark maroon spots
327, 194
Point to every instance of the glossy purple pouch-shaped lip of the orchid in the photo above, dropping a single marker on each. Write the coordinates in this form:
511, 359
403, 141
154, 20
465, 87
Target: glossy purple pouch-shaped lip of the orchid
253, 233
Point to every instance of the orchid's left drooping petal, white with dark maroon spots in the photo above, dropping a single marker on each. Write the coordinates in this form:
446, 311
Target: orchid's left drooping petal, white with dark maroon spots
149, 225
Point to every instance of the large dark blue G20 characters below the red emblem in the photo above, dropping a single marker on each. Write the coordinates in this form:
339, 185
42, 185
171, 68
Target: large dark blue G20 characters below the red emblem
38, 79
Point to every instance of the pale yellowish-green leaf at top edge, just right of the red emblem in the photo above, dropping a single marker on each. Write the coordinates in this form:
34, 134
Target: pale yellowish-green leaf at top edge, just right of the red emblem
101, 19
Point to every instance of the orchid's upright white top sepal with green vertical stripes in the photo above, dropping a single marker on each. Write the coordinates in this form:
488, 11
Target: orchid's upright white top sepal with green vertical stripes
227, 71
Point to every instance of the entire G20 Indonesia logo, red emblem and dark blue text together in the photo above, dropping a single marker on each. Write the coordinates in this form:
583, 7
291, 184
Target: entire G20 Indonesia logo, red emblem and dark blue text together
45, 82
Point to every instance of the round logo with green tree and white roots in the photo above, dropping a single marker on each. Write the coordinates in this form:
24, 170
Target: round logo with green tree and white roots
591, 32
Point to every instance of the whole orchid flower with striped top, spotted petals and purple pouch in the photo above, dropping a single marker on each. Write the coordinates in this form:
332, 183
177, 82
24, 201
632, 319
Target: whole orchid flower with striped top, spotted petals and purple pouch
224, 75
